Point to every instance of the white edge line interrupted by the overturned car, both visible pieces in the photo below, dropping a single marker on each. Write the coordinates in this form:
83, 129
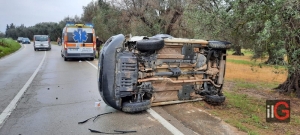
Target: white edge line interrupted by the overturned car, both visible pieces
154, 114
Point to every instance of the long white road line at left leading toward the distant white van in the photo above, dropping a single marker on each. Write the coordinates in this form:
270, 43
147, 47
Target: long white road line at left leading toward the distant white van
13, 104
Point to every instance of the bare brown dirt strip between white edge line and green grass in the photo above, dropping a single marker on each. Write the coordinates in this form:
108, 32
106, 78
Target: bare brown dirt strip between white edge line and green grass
201, 121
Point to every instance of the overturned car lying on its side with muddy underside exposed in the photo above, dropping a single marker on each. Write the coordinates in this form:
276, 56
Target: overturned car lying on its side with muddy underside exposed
139, 72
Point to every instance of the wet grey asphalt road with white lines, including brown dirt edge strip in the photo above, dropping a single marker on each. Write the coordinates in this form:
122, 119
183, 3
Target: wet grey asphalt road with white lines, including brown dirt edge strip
60, 94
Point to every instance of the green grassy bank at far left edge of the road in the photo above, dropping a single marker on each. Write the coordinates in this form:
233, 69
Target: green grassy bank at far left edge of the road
8, 46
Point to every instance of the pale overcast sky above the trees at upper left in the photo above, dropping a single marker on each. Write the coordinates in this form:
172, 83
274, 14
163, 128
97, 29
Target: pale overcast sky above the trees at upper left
31, 12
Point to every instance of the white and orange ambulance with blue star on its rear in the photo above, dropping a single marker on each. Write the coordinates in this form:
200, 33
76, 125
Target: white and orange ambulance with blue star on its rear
78, 42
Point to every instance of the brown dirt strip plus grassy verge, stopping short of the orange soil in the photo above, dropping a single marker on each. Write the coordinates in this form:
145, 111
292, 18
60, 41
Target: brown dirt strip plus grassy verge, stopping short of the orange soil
243, 112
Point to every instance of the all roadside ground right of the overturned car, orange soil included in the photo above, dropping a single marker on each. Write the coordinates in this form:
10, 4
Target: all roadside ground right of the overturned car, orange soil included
246, 87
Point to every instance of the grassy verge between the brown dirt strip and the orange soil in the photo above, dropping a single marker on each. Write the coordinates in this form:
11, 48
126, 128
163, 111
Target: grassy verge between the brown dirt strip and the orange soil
245, 108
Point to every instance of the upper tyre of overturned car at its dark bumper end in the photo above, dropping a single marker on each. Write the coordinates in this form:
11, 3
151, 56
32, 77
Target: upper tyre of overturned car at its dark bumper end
151, 44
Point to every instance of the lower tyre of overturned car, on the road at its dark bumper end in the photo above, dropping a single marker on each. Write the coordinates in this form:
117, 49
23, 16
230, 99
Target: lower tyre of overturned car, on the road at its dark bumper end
136, 106
